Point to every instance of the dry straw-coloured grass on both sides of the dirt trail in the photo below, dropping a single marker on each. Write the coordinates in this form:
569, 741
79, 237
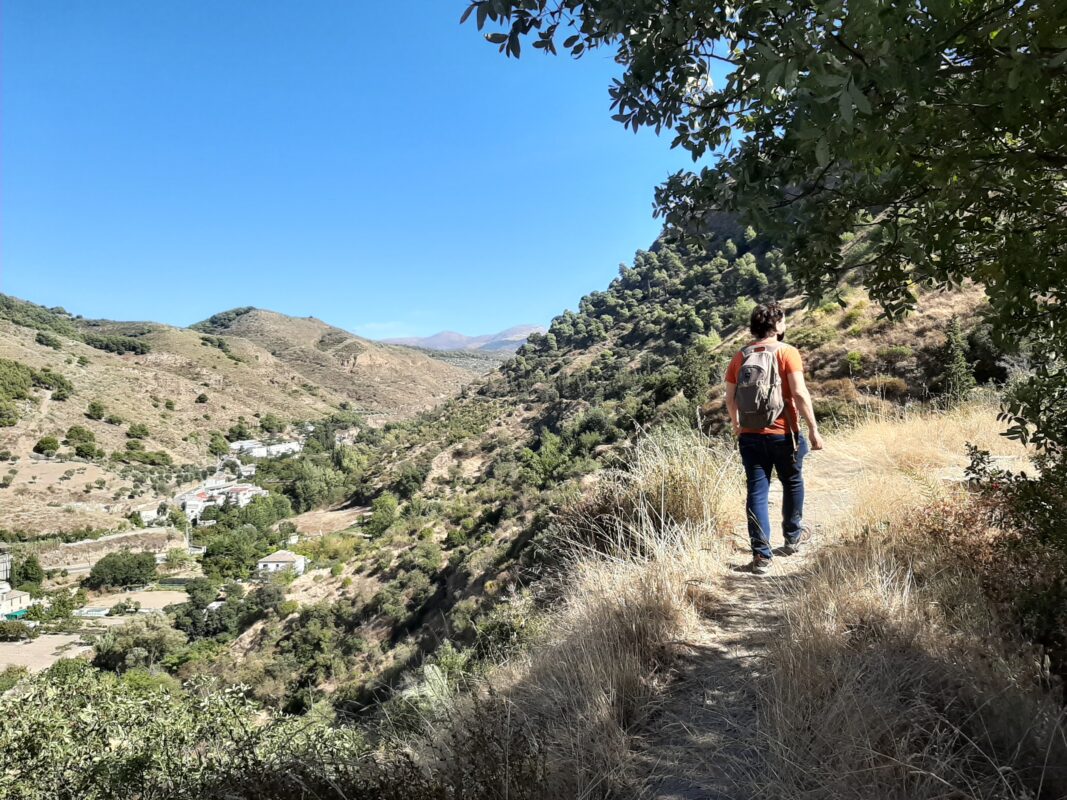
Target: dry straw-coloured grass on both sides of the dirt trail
891, 677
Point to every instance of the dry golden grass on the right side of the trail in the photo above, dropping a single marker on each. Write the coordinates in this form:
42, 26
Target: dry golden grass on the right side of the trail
894, 677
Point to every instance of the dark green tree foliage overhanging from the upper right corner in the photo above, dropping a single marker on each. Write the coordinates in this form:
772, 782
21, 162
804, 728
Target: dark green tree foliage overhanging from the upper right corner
935, 131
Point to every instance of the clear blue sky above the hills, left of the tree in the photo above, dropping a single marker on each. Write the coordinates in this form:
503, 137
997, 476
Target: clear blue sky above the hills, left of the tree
386, 171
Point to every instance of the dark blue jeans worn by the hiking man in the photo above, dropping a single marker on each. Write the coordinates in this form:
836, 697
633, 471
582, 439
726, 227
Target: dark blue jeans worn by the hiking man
761, 454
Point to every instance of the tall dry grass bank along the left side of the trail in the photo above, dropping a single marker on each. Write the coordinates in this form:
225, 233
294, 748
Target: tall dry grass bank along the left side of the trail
630, 554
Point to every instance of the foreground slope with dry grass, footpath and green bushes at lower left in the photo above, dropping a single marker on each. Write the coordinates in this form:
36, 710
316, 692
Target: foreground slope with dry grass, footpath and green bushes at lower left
877, 665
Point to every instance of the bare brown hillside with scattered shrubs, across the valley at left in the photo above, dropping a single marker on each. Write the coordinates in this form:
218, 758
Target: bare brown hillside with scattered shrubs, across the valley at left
181, 386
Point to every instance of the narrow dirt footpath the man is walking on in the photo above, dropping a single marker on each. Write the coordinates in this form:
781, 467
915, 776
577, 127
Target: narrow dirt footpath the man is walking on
703, 742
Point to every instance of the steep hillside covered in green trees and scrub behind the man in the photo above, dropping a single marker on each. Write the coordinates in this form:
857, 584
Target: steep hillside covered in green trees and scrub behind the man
466, 499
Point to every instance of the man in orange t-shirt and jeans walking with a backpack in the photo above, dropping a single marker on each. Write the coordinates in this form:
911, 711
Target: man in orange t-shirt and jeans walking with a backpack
766, 391
